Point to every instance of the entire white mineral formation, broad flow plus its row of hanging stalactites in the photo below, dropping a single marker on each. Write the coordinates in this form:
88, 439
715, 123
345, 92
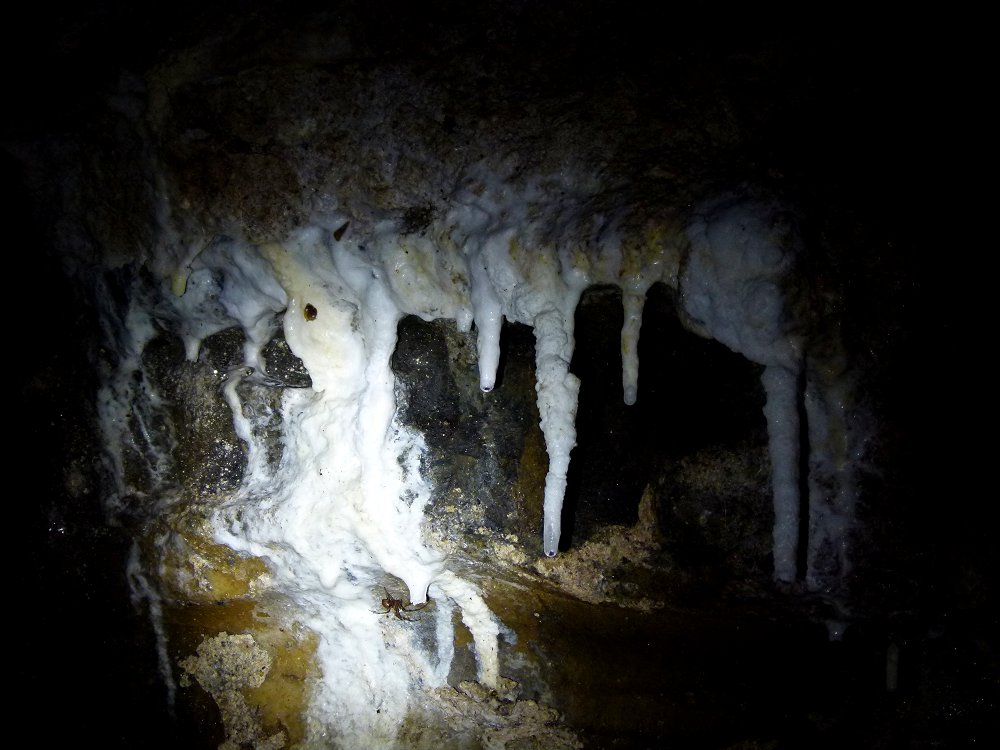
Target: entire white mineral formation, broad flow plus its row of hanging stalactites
347, 501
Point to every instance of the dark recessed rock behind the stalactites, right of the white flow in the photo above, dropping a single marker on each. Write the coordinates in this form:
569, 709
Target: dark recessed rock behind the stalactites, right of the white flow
705, 455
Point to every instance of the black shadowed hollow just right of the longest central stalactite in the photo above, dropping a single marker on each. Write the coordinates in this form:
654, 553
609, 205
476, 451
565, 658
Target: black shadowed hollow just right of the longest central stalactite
694, 395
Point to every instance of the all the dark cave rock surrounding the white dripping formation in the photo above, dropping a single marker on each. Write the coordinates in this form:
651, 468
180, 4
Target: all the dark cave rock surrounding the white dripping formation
251, 124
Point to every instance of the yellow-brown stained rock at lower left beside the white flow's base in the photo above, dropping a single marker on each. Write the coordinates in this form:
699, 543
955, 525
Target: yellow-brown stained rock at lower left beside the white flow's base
211, 593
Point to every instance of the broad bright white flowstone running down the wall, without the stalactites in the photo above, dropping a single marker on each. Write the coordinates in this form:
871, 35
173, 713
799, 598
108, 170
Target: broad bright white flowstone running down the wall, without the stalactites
347, 501
